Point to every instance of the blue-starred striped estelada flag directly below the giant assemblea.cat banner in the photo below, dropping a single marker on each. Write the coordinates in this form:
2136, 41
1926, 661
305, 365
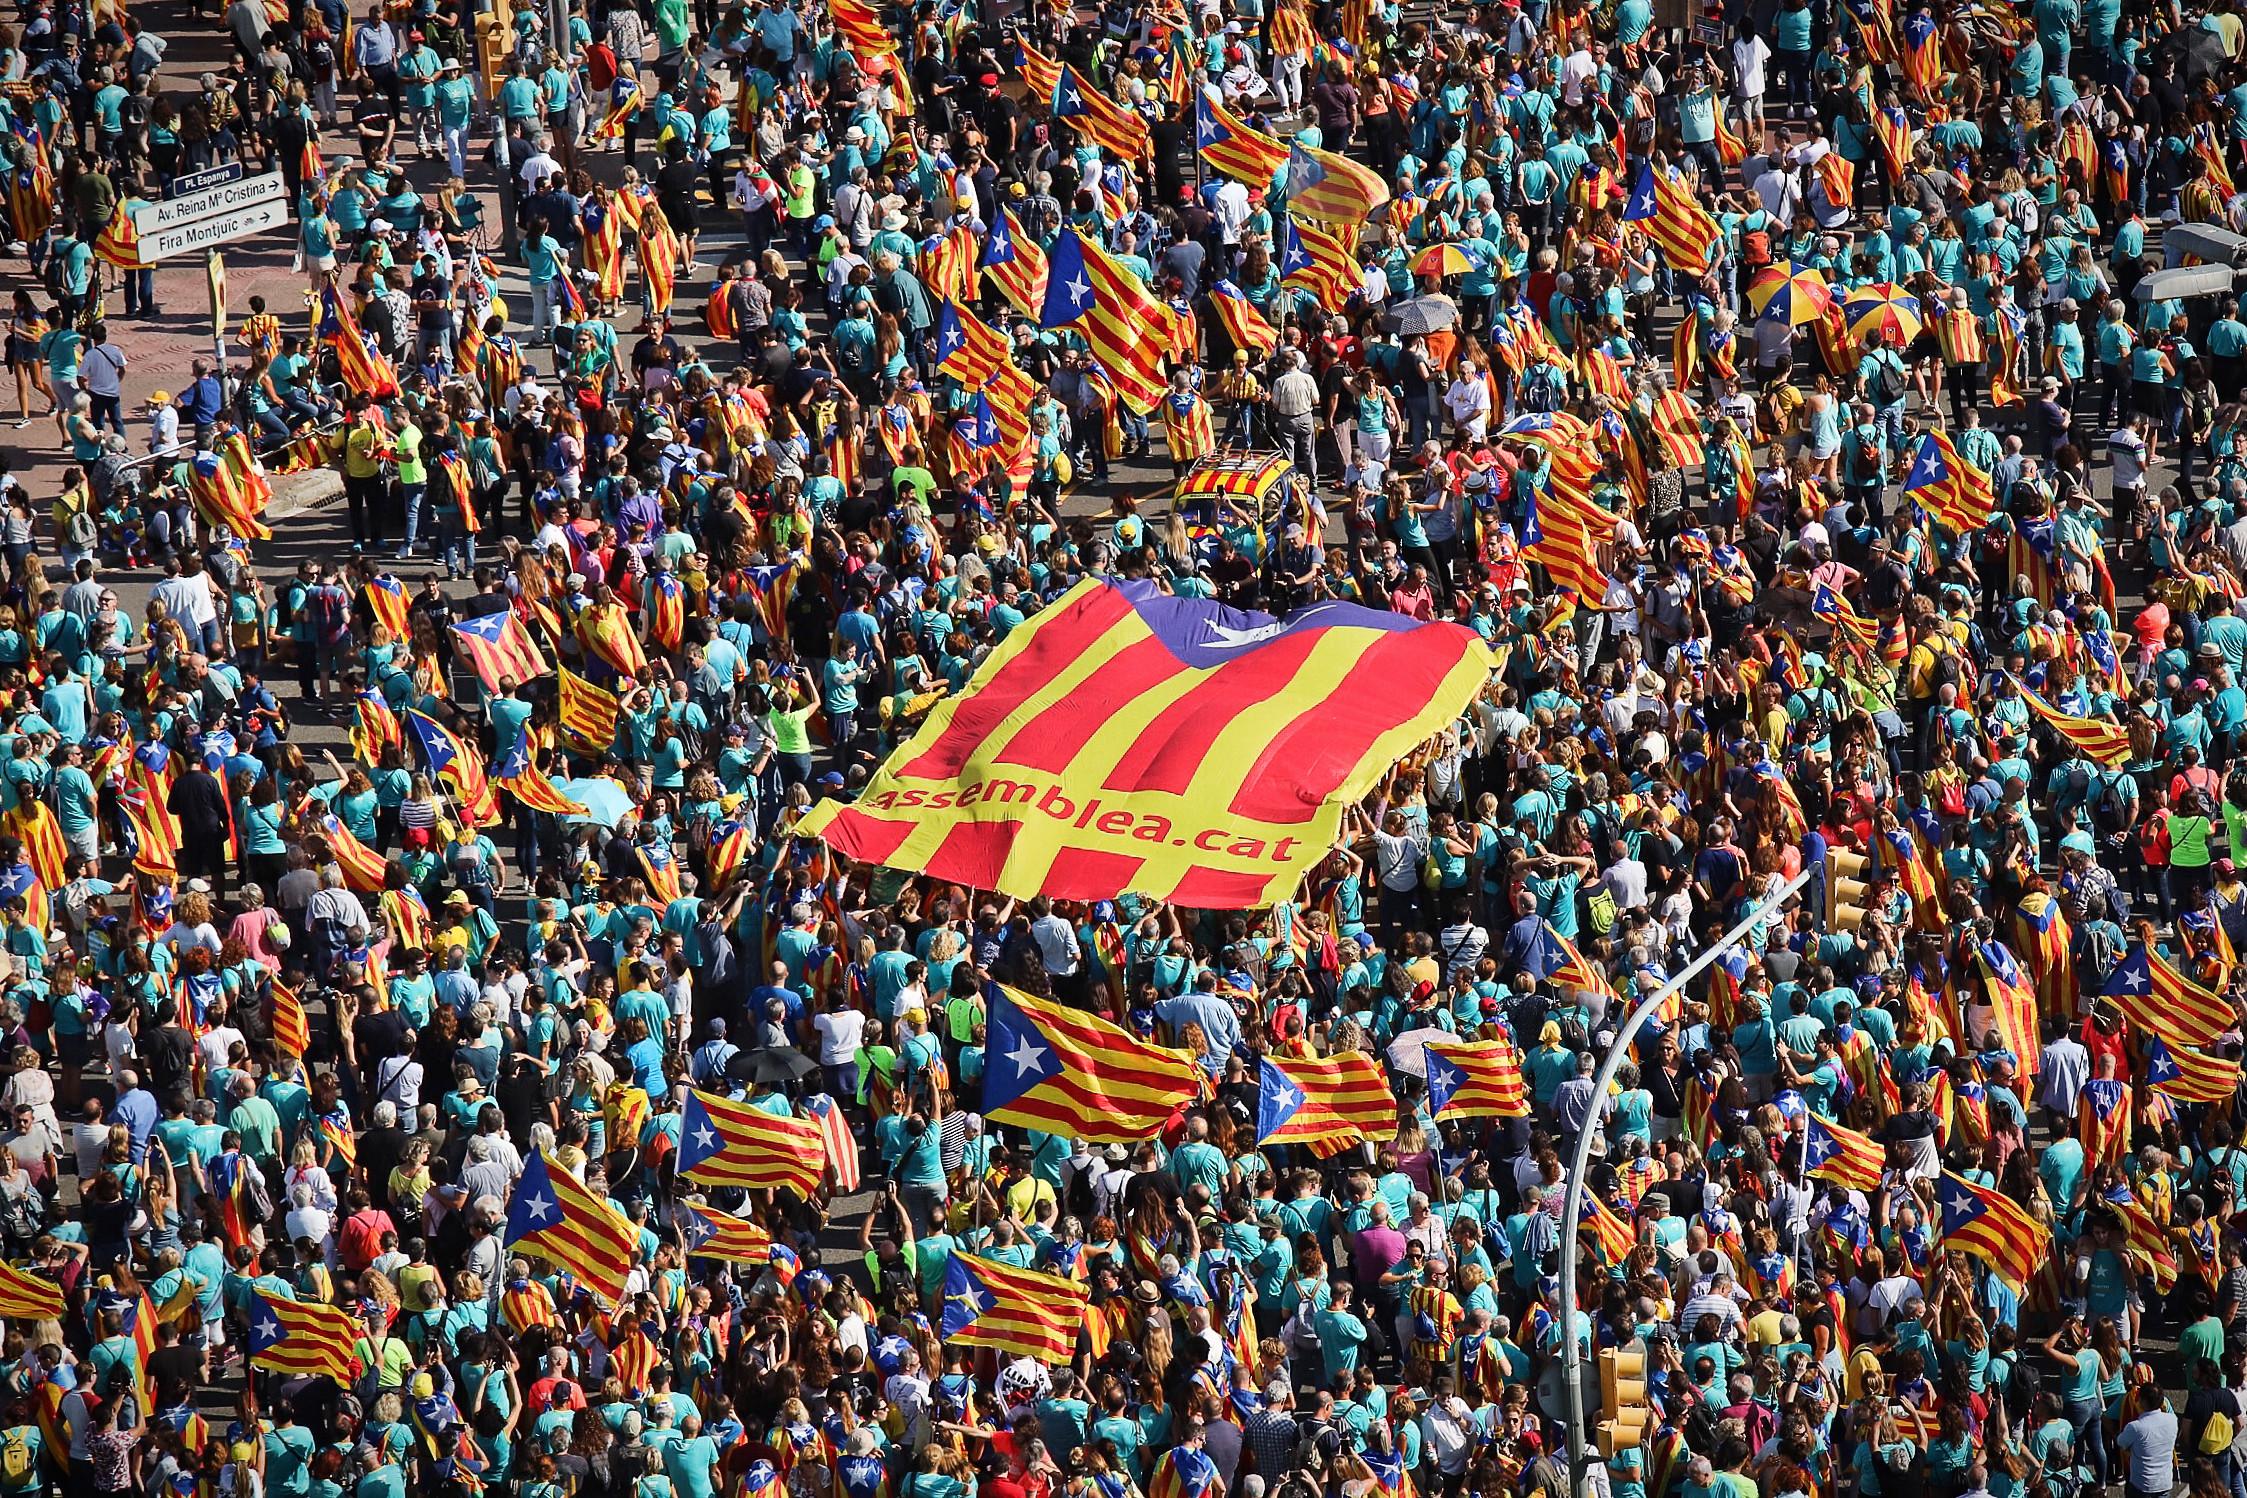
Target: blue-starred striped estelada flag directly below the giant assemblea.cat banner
1071, 1072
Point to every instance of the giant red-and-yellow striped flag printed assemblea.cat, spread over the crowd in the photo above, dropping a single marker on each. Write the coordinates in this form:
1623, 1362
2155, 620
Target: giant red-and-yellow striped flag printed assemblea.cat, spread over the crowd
1170, 747
